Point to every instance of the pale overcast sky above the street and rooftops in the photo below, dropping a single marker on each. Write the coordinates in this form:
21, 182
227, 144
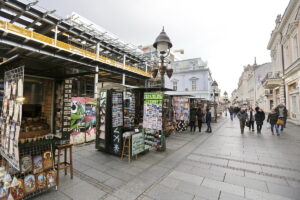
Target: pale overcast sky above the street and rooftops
226, 33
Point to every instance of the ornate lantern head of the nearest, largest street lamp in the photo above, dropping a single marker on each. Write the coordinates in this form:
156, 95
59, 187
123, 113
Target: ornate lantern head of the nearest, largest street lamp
163, 46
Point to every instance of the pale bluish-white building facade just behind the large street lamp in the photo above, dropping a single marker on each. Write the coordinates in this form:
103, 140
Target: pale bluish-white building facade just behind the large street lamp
190, 77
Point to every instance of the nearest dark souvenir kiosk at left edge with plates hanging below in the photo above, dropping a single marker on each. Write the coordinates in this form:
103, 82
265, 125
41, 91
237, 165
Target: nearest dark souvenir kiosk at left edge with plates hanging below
35, 117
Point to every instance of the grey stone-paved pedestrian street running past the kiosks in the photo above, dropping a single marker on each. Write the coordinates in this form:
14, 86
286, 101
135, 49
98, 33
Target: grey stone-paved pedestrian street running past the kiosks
221, 165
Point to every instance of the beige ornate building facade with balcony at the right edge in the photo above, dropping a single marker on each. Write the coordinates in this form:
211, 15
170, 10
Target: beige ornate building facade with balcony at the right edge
285, 53
